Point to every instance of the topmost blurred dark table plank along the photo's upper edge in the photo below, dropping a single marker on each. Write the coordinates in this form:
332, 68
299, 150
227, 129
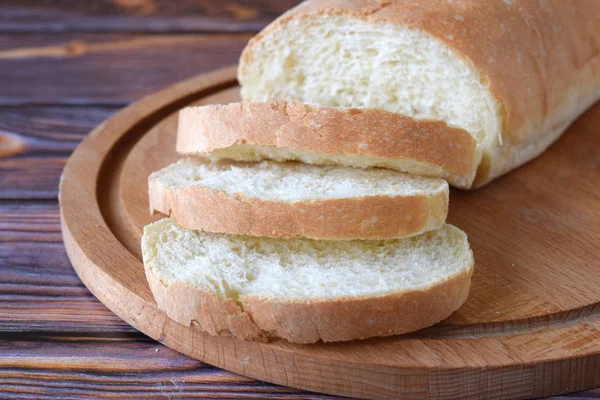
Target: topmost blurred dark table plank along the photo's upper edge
139, 15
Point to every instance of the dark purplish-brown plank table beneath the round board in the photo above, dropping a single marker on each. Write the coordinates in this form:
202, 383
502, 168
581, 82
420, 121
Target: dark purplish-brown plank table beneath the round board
65, 66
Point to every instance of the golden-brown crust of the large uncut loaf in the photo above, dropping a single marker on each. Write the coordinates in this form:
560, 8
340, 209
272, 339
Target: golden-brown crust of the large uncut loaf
540, 59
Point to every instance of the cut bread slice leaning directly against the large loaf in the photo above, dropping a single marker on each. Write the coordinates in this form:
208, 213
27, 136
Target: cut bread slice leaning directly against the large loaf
323, 135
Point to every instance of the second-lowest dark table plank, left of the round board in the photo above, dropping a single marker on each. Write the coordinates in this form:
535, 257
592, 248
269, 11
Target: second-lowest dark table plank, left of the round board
39, 291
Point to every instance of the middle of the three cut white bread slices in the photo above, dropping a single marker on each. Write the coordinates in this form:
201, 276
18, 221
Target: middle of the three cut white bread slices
294, 199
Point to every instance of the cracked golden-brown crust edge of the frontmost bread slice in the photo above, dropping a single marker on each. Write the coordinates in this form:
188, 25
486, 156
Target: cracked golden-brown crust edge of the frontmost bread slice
340, 319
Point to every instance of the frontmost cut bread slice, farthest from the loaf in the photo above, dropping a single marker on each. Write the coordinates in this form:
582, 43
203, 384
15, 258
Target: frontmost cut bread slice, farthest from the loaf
305, 290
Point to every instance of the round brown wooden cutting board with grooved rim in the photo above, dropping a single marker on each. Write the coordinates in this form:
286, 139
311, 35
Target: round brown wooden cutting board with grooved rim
530, 328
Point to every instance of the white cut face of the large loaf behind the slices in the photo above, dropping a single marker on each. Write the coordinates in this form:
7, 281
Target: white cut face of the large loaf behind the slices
359, 64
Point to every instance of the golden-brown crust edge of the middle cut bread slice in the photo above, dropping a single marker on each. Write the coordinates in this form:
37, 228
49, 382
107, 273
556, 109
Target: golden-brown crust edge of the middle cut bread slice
371, 217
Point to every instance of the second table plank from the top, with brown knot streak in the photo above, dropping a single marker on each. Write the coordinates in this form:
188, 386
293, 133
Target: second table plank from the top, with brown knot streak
100, 69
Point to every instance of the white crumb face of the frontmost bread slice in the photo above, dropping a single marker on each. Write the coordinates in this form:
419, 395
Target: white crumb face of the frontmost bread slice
232, 266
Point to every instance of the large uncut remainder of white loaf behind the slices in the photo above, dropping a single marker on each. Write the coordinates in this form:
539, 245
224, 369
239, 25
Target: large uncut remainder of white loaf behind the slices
514, 74
